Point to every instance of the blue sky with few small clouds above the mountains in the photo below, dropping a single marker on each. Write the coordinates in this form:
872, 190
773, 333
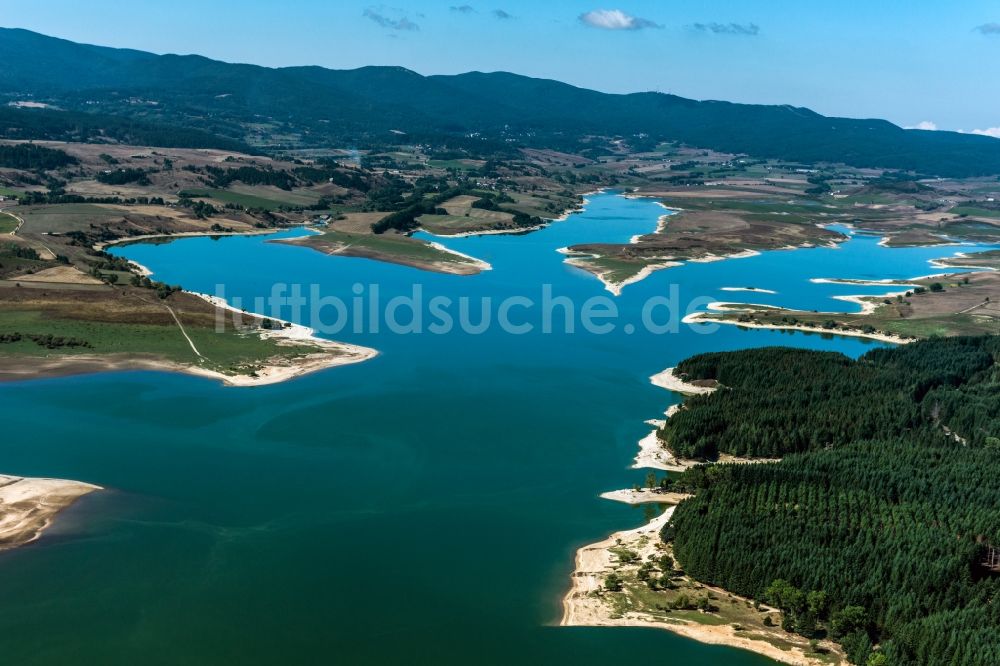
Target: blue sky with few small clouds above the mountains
908, 62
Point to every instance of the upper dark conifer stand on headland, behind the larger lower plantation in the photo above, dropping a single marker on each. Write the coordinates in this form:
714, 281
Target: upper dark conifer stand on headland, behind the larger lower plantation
815, 400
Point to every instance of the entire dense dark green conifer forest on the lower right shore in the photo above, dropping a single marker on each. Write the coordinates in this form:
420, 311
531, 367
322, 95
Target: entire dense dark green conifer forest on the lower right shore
874, 534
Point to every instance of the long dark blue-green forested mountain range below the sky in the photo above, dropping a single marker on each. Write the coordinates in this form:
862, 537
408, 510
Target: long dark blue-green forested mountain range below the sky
227, 104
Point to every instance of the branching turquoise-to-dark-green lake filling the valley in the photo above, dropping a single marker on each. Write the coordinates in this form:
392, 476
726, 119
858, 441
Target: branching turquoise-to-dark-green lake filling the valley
423, 507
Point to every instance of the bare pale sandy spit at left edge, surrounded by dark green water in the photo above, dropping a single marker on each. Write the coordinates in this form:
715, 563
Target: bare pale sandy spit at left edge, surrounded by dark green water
28, 506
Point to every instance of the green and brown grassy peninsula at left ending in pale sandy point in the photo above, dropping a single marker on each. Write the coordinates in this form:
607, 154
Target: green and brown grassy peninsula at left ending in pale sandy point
60, 321
